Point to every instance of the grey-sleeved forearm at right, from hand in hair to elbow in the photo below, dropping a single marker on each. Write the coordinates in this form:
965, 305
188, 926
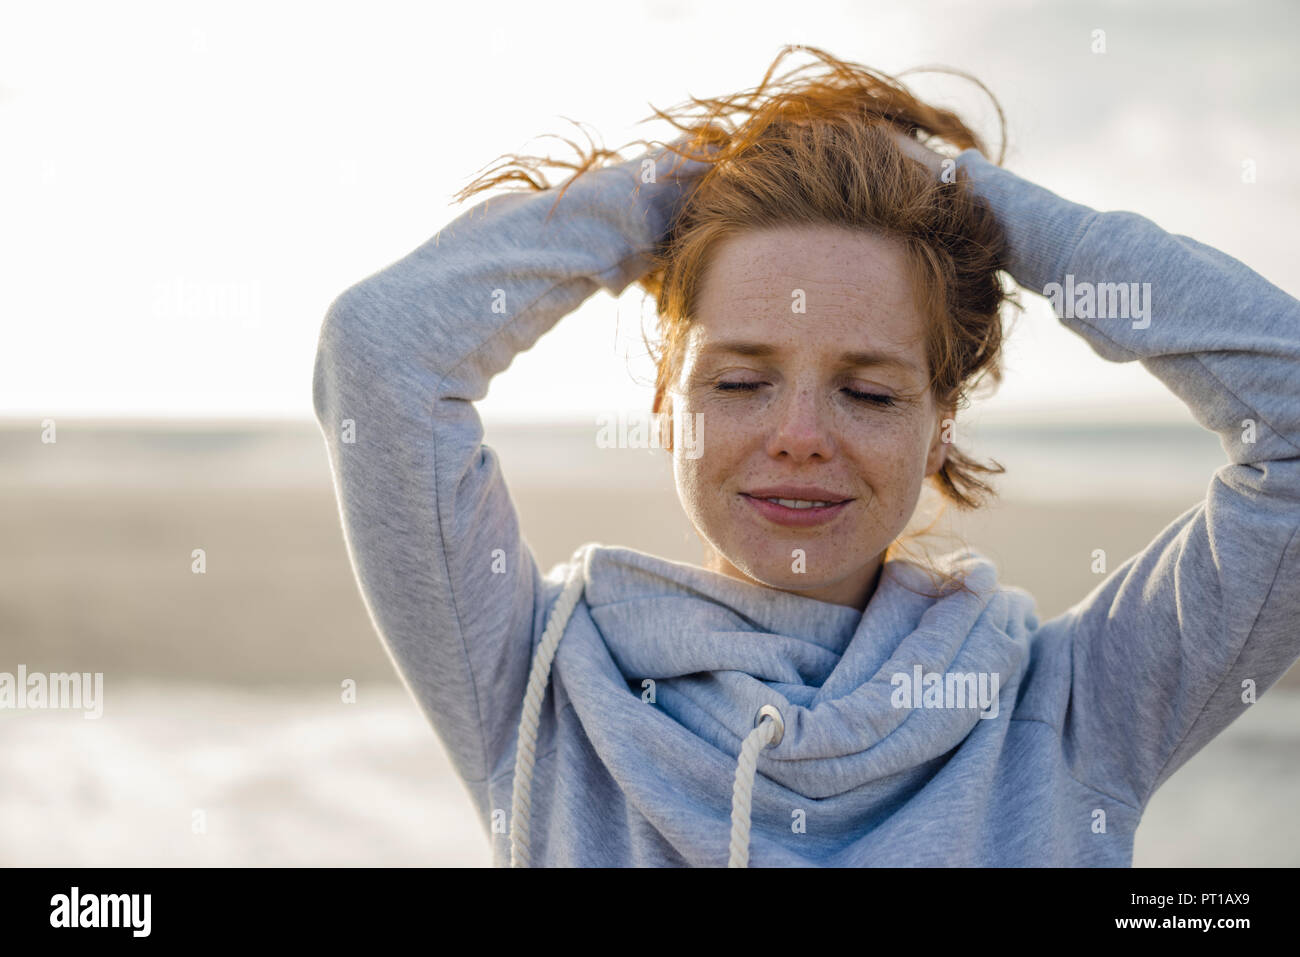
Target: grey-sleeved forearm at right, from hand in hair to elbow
1220, 336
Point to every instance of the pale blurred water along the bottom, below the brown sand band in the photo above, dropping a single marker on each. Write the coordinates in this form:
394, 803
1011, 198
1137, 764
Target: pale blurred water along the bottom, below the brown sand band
292, 777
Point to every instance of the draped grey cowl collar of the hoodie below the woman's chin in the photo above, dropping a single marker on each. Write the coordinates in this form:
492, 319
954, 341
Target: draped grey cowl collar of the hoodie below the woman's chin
712, 651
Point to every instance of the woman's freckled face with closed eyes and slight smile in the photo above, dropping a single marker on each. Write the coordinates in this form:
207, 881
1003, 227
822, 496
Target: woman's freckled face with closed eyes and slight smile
805, 370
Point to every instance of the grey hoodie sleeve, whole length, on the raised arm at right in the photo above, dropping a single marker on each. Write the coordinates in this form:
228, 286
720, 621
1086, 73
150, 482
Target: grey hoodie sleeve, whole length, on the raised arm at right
1172, 647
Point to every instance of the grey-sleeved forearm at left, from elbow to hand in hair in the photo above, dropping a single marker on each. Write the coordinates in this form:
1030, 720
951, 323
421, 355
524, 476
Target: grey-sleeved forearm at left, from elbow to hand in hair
456, 311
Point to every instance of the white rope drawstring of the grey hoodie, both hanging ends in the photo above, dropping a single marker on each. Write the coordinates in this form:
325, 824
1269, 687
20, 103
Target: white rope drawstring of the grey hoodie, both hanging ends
769, 730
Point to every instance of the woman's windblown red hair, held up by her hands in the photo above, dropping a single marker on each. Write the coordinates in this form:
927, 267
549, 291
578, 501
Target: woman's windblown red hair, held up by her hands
818, 150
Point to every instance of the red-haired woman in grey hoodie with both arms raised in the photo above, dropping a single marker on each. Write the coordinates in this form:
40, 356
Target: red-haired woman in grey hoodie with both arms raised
829, 292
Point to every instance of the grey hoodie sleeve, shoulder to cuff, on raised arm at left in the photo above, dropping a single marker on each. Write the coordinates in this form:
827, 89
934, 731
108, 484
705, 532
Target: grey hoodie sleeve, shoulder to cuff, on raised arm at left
452, 588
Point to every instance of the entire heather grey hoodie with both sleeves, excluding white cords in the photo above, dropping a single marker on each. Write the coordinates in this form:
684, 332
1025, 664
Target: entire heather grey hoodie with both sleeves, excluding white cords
1095, 708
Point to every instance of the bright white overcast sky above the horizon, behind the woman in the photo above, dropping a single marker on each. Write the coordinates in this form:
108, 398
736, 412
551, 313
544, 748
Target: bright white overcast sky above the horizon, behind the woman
187, 187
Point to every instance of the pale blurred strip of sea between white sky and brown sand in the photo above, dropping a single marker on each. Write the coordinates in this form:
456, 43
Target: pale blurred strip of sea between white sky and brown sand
1058, 460
